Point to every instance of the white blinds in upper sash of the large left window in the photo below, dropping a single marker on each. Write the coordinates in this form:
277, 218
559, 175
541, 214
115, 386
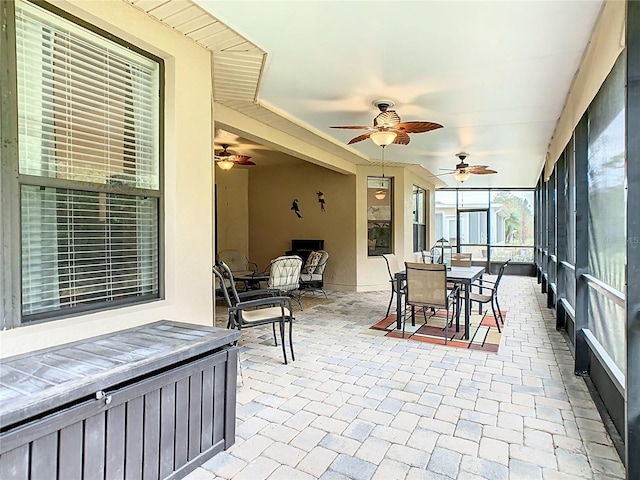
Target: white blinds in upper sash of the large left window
96, 103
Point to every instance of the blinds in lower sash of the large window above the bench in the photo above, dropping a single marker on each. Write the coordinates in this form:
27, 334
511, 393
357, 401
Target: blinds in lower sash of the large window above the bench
97, 255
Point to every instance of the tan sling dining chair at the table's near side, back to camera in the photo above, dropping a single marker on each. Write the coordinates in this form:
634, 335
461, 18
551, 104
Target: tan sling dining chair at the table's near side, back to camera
426, 287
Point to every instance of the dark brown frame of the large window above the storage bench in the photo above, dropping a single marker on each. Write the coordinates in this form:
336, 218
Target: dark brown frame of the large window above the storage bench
12, 181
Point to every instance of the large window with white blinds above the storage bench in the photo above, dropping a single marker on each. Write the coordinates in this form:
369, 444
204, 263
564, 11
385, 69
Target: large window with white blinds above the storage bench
89, 167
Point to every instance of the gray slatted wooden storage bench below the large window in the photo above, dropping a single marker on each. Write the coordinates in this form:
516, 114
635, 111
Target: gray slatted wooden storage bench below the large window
151, 402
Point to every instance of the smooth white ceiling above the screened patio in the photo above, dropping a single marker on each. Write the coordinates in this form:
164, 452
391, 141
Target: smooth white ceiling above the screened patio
494, 73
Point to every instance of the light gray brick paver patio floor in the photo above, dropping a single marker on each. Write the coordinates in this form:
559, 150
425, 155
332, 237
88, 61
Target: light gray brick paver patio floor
357, 405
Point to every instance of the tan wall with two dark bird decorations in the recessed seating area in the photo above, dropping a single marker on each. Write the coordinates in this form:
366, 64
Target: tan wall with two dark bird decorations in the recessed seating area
273, 225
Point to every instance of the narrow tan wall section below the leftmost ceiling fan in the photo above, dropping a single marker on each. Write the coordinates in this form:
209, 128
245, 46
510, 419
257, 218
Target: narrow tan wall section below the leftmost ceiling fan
232, 211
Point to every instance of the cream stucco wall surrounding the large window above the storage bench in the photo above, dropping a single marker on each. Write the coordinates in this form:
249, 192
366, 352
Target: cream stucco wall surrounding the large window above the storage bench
188, 215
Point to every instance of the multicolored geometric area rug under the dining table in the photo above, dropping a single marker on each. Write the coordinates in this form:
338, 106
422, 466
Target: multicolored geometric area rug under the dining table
482, 329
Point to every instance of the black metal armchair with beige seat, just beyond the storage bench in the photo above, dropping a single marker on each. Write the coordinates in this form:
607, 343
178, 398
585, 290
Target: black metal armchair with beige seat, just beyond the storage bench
246, 311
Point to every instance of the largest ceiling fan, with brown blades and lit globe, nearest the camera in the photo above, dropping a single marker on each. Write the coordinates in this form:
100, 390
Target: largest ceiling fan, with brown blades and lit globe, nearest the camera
389, 121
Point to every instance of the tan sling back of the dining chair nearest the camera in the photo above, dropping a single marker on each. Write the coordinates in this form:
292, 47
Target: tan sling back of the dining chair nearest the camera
427, 284
